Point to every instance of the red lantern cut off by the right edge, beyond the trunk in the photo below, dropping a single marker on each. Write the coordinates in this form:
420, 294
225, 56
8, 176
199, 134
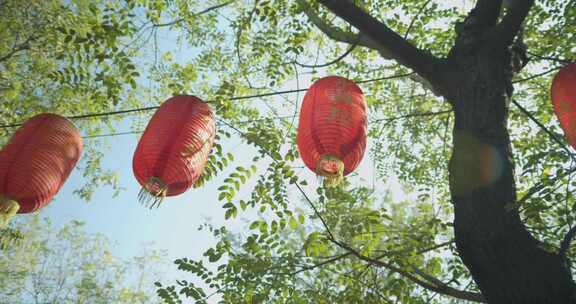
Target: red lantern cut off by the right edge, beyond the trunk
564, 100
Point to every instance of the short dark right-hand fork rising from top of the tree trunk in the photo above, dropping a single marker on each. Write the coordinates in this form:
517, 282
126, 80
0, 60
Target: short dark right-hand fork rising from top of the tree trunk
511, 24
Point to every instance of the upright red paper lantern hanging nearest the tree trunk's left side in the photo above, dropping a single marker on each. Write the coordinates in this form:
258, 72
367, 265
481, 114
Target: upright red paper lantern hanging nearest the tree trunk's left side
331, 133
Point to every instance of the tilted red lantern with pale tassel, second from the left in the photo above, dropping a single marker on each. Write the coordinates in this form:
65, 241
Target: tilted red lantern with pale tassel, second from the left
174, 148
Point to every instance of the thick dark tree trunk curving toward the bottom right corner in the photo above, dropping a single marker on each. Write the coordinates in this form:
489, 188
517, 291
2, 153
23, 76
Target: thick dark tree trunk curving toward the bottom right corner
507, 263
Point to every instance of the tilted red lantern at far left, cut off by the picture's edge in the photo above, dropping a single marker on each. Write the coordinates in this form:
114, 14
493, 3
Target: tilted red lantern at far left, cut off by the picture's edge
36, 162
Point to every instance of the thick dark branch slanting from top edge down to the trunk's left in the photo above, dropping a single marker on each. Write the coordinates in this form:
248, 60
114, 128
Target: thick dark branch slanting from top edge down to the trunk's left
386, 40
